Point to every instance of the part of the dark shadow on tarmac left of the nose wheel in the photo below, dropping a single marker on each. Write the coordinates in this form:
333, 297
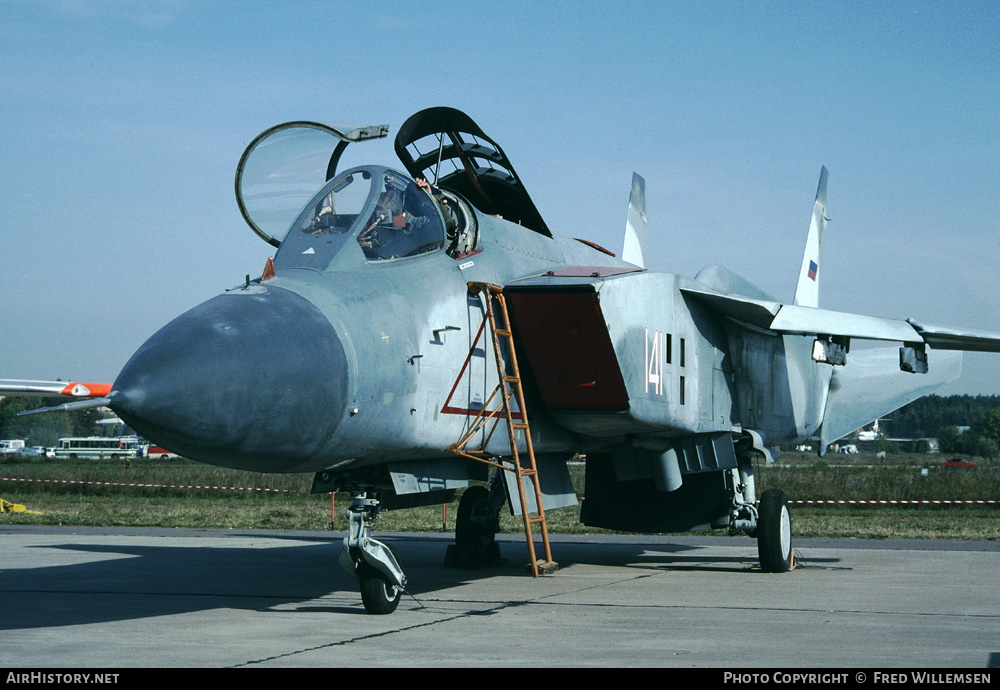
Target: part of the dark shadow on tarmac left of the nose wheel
130, 582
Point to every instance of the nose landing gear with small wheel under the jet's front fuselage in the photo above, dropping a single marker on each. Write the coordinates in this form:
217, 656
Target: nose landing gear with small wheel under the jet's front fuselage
373, 563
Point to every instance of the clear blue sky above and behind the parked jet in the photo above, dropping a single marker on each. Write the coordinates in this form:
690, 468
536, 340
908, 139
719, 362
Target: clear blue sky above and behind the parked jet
123, 122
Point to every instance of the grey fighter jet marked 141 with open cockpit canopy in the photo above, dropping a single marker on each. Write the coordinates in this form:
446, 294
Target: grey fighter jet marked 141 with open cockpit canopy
408, 314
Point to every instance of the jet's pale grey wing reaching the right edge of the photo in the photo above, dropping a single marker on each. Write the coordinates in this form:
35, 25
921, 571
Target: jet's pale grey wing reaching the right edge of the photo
791, 319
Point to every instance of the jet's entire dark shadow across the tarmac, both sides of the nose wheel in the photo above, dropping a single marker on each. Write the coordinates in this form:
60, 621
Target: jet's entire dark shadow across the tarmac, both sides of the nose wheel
130, 582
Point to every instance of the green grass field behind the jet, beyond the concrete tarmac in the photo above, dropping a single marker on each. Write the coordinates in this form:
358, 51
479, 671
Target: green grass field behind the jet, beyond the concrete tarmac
101, 495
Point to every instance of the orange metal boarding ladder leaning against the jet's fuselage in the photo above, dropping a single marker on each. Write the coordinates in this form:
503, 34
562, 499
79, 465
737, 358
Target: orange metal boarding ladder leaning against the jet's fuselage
509, 385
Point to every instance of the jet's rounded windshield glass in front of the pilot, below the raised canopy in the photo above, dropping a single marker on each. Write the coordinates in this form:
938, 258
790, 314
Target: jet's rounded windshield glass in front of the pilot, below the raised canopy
378, 212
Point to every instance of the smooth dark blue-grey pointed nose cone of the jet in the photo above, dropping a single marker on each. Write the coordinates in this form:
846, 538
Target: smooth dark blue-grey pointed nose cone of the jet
252, 380
